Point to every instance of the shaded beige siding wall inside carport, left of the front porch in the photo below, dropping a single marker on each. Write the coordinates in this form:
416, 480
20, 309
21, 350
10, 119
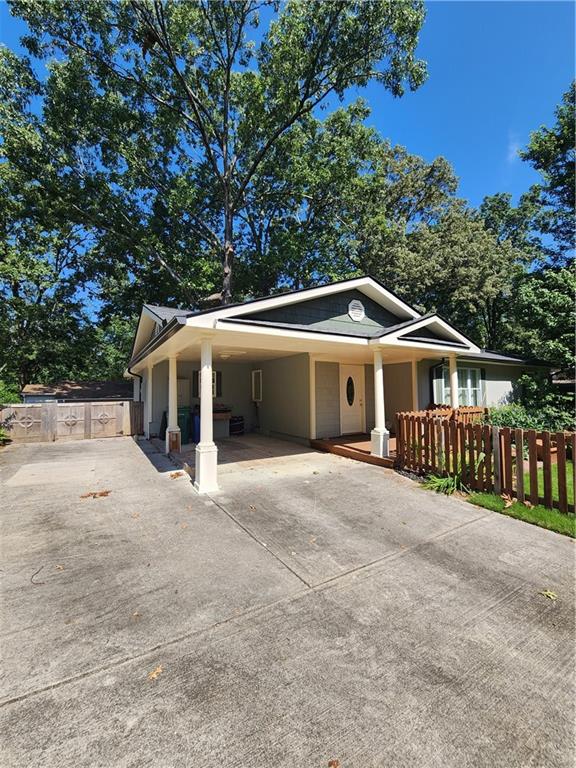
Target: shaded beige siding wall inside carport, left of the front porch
285, 407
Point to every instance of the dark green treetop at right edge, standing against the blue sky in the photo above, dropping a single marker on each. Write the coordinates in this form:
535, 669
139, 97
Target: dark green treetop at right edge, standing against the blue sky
552, 152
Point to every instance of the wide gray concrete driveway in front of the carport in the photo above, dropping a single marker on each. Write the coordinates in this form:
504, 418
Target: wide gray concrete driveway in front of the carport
315, 610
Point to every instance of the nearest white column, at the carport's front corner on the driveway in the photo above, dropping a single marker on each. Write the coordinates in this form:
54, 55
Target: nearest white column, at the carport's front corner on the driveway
206, 452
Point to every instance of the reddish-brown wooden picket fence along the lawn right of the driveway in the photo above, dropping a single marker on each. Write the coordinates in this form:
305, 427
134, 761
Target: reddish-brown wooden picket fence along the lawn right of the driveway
491, 459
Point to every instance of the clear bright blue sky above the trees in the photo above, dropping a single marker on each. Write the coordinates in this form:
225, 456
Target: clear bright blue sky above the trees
496, 72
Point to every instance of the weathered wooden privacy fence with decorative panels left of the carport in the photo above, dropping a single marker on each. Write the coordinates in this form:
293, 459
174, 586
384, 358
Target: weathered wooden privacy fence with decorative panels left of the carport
46, 422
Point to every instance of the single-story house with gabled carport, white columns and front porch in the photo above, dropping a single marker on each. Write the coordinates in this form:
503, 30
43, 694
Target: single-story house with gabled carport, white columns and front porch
338, 359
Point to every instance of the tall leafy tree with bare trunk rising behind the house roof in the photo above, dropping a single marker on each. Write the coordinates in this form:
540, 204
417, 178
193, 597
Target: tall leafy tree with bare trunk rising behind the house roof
168, 110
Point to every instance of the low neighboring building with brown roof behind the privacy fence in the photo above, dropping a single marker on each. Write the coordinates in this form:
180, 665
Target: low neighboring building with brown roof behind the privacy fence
78, 392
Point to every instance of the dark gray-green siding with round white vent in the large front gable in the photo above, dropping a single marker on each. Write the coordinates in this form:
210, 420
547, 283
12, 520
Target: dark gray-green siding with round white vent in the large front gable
330, 313
